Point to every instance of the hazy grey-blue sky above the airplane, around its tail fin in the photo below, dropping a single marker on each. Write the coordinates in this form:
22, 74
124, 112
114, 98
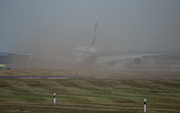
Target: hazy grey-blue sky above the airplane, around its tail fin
55, 25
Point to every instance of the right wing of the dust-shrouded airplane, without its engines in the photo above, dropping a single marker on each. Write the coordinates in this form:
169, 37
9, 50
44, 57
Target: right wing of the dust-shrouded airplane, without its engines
107, 59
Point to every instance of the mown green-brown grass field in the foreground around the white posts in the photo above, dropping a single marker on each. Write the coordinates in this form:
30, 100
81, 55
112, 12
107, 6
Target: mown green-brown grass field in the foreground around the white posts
89, 95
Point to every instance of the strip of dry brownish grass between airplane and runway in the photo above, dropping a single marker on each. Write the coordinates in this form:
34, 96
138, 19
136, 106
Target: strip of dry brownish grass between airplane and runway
87, 73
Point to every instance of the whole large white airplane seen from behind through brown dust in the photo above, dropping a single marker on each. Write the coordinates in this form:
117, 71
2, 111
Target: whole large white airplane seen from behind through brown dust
88, 56
